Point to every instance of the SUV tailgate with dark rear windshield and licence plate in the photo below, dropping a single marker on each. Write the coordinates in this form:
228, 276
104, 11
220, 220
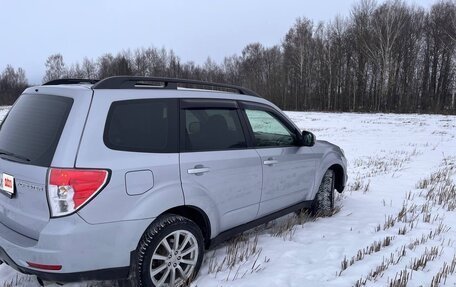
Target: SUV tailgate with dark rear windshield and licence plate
28, 140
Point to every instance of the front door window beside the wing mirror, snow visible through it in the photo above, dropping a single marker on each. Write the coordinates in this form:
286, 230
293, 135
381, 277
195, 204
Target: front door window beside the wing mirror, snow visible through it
268, 130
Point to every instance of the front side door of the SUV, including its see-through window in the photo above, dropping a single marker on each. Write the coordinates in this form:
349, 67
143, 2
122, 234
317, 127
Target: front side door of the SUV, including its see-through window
288, 167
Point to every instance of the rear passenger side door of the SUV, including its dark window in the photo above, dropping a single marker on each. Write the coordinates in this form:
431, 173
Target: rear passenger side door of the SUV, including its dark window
217, 167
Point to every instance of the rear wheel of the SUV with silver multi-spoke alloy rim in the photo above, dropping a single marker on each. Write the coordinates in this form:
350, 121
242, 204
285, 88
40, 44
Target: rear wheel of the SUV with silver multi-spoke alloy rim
159, 259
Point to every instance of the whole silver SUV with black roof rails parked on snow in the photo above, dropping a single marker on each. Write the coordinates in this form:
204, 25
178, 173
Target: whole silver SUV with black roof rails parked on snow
131, 178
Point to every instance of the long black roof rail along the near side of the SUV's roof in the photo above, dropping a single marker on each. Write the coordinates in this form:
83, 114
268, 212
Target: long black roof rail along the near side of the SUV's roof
132, 82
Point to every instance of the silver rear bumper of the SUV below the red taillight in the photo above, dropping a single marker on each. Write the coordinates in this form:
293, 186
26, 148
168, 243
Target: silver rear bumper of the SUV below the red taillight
85, 251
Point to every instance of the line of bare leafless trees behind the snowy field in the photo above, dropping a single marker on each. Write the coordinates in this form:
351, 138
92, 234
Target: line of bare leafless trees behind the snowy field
389, 57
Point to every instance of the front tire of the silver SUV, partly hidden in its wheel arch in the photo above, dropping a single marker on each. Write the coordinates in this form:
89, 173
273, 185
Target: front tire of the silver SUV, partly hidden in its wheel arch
323, 204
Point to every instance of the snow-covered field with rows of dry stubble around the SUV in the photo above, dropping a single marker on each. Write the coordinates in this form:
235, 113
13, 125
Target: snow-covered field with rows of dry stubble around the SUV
396, 223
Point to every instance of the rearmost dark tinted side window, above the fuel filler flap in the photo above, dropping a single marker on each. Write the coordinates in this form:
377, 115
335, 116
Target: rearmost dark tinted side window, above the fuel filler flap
143, 126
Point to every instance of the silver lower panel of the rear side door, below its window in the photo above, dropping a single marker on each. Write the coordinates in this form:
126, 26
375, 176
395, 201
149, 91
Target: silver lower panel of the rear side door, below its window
233, 183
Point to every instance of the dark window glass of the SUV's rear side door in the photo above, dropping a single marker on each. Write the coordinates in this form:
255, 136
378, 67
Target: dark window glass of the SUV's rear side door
212, 129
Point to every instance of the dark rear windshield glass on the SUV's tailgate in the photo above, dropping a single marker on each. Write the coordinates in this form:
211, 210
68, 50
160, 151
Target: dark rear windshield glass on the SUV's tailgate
32, 129
